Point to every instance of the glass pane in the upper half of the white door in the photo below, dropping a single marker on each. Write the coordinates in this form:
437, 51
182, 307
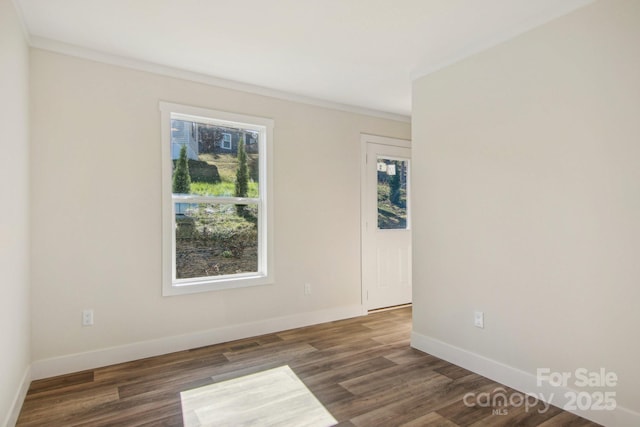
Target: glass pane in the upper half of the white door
392, 193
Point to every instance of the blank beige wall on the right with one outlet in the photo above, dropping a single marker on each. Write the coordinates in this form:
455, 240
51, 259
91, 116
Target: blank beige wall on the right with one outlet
527, 198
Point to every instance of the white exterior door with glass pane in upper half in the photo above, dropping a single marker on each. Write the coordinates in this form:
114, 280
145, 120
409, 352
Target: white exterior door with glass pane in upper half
386, 222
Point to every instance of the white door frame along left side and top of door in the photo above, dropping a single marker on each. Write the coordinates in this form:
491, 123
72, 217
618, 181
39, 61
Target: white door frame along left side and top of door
366, 139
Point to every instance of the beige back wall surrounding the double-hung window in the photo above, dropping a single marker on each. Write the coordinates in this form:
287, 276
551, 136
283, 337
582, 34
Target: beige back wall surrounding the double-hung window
96, 207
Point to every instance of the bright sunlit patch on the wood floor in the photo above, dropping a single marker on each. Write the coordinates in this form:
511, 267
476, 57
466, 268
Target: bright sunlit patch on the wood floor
275, 397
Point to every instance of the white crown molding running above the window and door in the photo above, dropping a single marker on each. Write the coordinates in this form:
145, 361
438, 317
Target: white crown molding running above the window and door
121, 61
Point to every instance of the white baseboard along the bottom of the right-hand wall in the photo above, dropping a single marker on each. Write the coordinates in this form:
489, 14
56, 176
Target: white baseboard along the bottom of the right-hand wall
524, 382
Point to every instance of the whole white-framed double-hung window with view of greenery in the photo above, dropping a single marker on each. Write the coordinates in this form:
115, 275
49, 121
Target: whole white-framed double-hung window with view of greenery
216, 200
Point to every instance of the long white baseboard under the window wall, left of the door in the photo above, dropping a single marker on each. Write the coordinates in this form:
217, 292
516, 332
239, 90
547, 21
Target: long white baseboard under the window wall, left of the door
108, 356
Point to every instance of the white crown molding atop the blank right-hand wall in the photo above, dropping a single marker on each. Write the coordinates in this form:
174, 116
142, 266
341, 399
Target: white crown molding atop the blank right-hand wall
480, 45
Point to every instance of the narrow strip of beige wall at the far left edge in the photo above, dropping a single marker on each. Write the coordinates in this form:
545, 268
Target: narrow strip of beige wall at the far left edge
14, 214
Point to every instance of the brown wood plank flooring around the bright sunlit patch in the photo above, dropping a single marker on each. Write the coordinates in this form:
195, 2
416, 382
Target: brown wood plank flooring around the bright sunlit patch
362, 370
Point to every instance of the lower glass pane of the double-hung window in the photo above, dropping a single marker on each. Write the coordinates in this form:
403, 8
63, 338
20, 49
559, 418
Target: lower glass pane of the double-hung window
215, 239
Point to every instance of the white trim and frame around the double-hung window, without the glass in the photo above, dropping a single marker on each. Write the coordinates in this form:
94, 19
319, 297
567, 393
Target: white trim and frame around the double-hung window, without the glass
265, 273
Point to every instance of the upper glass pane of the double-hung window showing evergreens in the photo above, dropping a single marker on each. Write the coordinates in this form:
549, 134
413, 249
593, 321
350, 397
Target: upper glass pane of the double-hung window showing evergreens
217, 158
